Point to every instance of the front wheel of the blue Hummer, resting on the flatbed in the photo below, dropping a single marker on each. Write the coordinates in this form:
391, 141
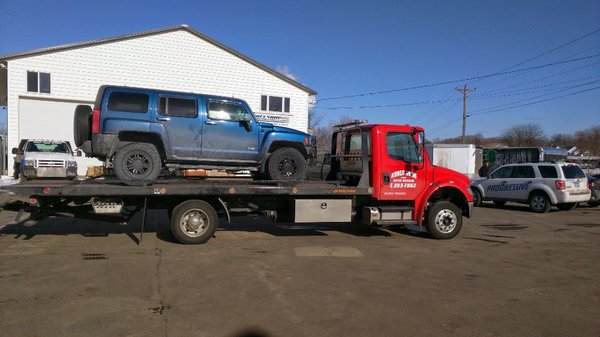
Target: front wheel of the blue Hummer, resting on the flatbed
287, 163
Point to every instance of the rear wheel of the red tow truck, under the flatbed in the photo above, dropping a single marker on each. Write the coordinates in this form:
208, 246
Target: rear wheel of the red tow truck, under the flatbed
194, 221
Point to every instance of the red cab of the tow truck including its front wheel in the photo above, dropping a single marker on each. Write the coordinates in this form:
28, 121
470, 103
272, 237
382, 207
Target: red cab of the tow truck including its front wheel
406, 188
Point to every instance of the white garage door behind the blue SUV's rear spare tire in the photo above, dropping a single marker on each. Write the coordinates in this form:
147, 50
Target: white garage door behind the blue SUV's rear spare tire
45, 119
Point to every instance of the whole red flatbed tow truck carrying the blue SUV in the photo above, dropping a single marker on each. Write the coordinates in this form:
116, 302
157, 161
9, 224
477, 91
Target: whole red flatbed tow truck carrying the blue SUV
379, 174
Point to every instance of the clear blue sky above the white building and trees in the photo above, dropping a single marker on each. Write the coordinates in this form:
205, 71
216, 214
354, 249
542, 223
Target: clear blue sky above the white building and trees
396, 62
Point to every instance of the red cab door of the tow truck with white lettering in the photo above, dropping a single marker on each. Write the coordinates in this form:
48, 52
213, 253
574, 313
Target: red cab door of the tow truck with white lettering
404, 175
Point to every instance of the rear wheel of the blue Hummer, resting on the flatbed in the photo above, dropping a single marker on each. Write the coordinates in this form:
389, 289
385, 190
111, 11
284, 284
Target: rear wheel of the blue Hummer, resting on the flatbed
137, 164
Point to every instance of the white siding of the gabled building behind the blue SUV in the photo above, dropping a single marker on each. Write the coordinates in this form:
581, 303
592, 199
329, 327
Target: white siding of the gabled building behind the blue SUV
176, 60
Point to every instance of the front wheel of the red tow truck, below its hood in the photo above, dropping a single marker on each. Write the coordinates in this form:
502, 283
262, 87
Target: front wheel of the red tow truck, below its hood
443, 220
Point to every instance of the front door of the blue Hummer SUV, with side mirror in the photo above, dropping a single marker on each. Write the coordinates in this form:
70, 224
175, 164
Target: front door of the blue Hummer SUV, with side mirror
230, 132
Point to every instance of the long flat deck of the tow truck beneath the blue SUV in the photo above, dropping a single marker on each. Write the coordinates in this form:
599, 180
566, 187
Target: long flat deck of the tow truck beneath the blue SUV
184, 187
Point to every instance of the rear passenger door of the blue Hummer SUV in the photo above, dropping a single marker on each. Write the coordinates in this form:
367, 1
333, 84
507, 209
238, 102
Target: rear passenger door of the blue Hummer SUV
181, 122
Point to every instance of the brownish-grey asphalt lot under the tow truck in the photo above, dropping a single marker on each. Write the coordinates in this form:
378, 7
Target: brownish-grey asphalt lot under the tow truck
510, 272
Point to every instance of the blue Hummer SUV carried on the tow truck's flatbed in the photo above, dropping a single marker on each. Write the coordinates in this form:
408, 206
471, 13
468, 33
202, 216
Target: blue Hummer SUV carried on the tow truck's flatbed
140, 131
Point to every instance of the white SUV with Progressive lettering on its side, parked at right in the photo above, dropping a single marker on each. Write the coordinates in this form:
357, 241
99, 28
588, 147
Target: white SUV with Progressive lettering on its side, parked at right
540, 185
